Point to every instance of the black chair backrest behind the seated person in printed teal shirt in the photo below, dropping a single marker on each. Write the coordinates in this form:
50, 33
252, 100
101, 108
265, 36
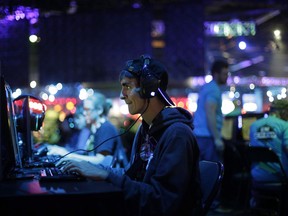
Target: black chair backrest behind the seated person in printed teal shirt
264, 154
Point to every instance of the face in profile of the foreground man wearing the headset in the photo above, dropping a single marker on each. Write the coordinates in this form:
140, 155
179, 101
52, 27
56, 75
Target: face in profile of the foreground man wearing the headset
130, 94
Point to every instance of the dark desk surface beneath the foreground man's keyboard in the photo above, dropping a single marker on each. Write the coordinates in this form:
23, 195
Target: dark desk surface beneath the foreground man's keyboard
60, 198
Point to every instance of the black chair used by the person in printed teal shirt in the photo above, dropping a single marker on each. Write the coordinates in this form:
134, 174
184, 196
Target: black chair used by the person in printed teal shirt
268, 196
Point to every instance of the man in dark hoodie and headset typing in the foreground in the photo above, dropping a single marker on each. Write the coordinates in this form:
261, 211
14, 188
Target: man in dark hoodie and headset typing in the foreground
162, 177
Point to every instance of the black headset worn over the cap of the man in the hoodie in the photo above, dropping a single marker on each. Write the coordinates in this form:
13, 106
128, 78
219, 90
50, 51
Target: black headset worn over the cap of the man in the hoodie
149, 83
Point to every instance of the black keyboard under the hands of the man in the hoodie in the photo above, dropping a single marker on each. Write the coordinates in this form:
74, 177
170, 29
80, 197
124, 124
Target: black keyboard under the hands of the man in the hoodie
55, 174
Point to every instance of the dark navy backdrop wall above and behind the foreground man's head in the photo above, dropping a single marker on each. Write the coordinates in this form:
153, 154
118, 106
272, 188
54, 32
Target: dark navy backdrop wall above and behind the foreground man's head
93, 46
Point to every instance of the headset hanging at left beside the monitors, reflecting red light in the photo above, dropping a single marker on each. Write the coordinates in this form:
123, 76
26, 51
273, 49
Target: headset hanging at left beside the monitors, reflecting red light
35, 119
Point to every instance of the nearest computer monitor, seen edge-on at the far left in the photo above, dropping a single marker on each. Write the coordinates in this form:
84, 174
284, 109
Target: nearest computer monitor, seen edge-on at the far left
10, 156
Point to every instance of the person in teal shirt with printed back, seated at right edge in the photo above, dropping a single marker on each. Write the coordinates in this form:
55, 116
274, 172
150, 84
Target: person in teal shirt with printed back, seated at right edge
271, 132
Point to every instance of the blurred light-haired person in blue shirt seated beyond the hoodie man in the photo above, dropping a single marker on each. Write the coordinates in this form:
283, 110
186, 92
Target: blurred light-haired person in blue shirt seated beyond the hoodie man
103, 139
